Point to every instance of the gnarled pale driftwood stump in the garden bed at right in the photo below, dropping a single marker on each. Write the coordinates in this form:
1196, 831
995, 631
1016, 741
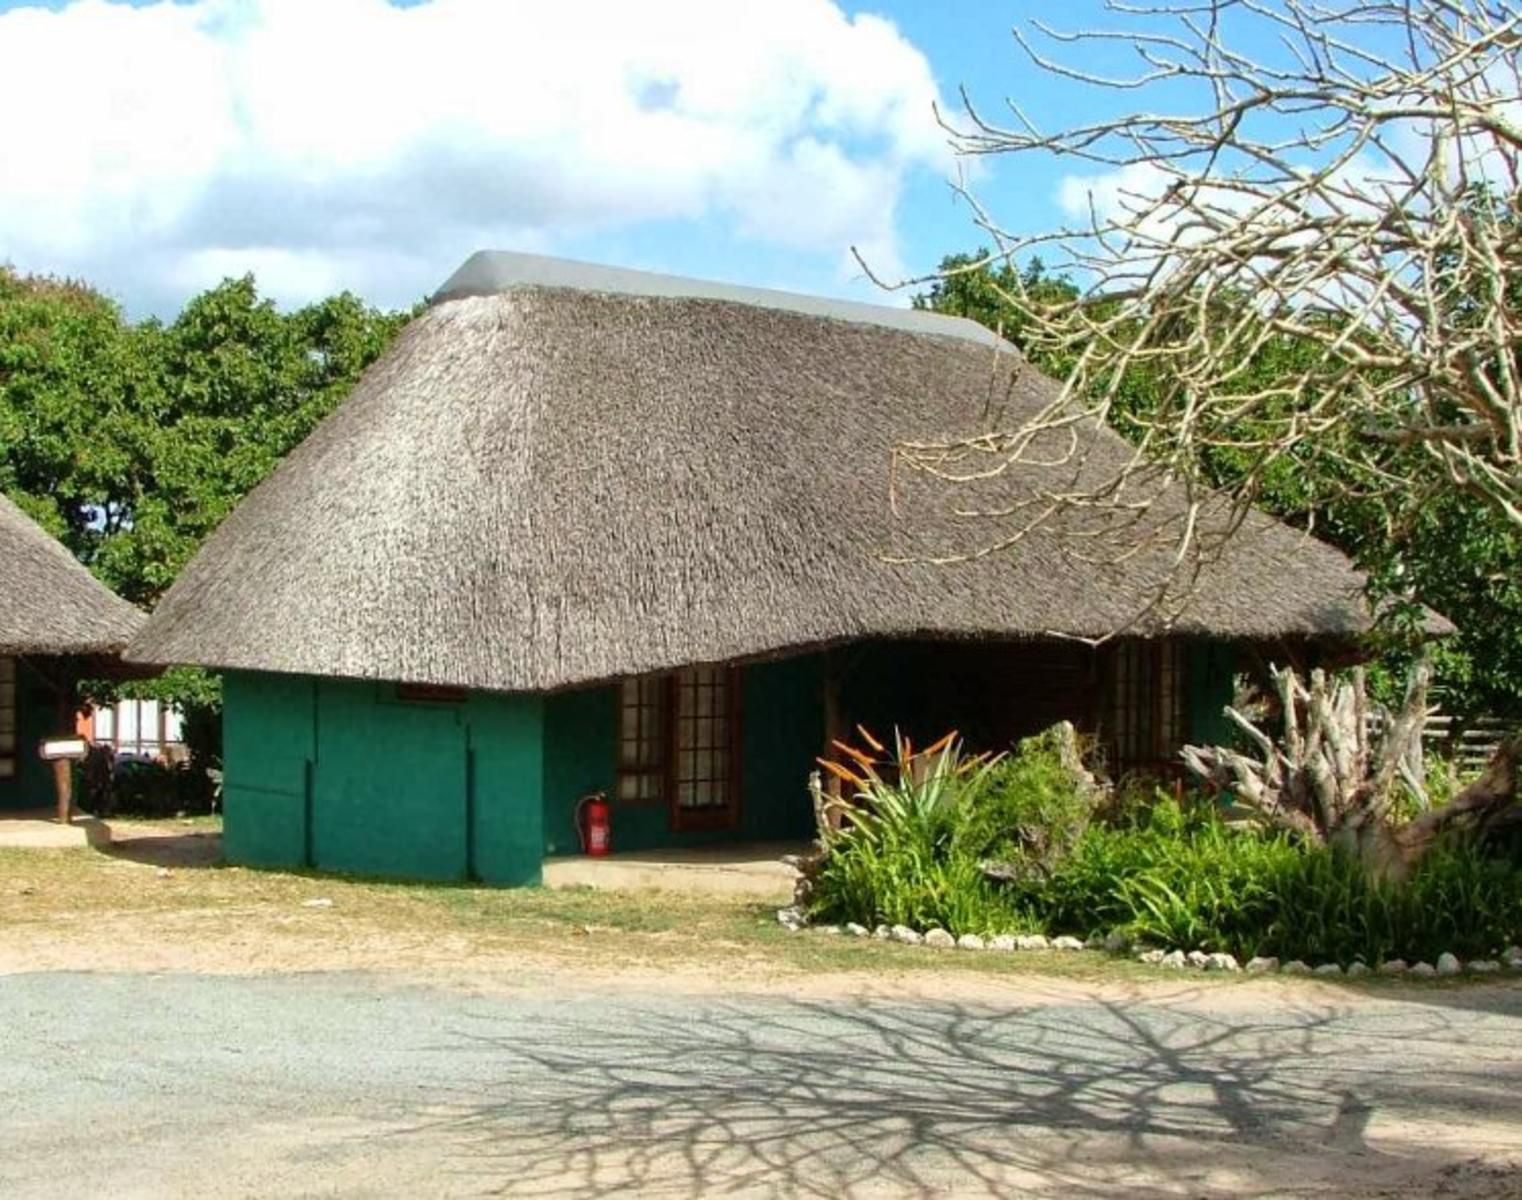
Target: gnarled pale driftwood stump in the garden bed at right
1339, 771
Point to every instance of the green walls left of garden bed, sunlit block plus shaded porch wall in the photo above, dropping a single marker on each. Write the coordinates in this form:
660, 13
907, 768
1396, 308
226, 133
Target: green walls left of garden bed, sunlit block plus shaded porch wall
343, 776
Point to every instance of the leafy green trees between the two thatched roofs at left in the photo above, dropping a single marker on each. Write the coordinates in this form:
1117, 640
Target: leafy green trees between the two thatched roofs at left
132, 442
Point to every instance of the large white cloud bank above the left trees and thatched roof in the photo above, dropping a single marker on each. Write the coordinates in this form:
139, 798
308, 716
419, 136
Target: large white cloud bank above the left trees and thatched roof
354, 144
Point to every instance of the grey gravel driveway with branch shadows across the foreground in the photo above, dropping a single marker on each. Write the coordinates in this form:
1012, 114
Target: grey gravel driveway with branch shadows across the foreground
180, 1085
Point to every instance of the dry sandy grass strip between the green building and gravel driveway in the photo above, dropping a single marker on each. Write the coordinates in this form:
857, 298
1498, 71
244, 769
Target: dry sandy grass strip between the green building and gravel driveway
84, 910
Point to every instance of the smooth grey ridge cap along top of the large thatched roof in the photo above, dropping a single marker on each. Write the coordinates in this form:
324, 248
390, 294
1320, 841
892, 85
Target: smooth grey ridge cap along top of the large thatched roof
495, 272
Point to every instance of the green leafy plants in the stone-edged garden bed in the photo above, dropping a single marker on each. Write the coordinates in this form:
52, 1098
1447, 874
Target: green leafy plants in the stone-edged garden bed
915, 846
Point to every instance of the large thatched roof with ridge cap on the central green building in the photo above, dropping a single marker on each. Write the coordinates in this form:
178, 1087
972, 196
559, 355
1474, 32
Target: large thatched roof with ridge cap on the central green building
562, 474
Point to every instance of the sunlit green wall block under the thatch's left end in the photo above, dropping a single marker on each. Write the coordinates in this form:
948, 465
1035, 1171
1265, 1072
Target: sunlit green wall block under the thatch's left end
346, 777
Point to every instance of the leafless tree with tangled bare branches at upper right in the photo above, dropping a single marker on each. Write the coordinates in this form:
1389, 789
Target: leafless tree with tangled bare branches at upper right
1354, 188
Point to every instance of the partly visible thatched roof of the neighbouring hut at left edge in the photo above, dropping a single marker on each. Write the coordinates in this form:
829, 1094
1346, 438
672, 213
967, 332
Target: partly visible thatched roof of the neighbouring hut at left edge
49, 604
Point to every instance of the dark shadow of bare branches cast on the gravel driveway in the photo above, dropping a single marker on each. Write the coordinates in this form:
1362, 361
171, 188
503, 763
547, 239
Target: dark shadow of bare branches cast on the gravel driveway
876, 1099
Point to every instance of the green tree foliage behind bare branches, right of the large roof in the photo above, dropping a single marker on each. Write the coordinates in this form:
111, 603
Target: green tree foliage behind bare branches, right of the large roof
1450, 551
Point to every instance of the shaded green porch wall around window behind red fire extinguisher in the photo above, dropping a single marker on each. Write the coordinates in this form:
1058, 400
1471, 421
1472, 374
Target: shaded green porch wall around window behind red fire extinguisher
782, 726
